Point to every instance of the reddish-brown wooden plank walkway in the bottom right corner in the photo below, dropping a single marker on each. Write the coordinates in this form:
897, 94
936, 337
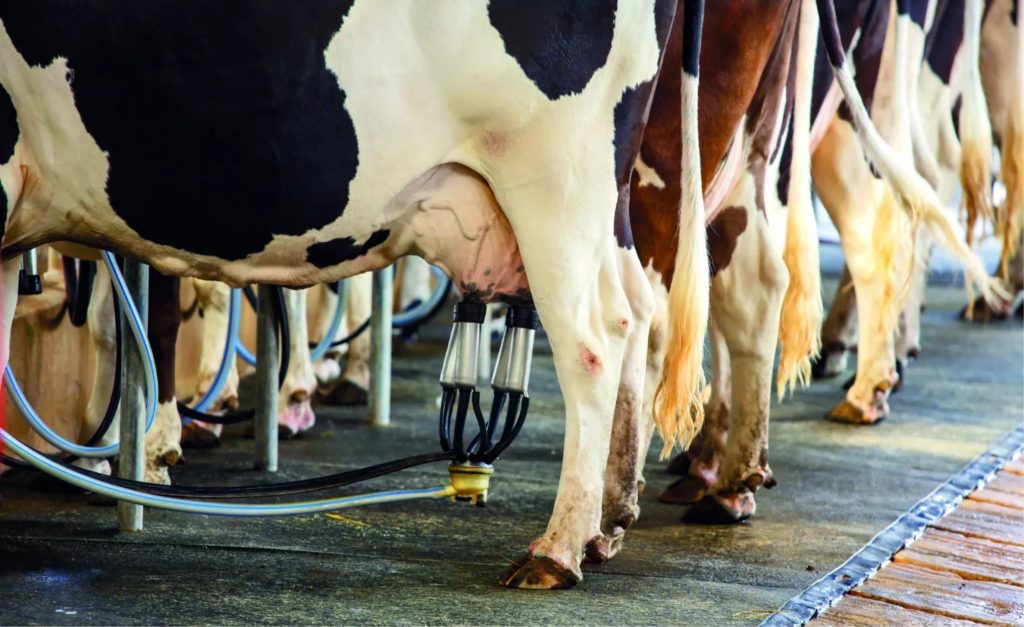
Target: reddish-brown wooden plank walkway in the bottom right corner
967, 569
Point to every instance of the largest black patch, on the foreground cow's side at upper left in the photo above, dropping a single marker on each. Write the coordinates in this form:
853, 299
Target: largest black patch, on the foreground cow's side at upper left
224, 126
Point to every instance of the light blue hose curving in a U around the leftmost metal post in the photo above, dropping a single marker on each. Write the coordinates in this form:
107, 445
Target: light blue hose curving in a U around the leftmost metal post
139, 332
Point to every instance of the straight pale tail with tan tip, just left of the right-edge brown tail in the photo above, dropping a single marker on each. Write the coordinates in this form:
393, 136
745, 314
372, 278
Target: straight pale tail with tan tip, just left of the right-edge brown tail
975, 130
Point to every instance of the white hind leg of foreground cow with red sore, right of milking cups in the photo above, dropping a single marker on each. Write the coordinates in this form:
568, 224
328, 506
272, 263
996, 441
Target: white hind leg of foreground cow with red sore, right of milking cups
583, 311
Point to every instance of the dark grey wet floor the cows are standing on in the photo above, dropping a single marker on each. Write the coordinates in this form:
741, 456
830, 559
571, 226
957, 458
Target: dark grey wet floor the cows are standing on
62, 561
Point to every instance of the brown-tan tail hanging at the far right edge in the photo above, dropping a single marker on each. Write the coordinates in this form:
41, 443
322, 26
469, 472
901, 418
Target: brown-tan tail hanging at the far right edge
1011, 218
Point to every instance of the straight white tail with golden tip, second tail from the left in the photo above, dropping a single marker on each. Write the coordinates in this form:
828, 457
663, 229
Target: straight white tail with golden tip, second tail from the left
800, 325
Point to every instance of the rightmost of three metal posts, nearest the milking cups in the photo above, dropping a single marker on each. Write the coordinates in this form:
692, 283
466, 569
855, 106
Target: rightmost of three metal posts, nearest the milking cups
380, 348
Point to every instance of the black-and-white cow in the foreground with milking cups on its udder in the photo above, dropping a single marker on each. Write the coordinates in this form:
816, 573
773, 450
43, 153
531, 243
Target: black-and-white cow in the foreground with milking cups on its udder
257, 142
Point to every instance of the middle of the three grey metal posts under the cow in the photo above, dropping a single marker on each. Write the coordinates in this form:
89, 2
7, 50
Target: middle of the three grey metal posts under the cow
266, 425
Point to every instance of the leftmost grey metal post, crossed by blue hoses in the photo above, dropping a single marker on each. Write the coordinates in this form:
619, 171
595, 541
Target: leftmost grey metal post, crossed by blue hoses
132, 457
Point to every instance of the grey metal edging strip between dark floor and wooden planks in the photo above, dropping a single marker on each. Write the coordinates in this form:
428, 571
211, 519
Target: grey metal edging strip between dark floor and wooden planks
904, 532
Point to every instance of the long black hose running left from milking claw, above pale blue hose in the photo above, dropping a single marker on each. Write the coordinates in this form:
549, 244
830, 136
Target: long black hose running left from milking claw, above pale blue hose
272, 490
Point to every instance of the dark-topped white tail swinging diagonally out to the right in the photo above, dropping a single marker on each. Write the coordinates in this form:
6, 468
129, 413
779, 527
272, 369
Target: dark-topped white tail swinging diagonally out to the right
914, 194
